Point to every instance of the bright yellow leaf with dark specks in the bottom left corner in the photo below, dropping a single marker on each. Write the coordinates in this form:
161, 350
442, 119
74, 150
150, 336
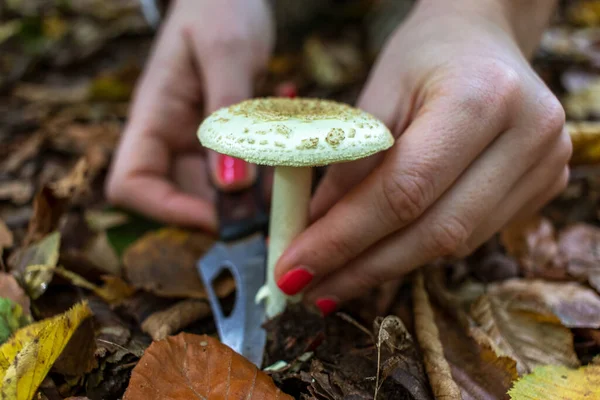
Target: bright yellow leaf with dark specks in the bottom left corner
28, 356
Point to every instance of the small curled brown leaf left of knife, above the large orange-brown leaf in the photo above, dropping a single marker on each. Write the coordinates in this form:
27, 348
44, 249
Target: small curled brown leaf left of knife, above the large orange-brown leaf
167, 322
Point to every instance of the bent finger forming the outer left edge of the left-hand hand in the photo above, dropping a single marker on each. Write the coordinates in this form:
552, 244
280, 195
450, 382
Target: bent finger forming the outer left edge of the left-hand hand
163, 119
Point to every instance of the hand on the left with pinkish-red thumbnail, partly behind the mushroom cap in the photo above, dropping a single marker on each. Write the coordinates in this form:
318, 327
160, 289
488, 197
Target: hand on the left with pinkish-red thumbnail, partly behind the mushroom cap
205, 58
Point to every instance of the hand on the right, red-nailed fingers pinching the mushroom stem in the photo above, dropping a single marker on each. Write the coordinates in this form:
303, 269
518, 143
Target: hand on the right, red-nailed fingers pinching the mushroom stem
480, 141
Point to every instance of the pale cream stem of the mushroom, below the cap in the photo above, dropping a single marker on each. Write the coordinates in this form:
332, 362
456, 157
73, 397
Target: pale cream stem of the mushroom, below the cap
289, 217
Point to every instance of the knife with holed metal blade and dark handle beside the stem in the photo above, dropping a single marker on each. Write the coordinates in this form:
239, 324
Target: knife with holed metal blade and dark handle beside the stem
241, 250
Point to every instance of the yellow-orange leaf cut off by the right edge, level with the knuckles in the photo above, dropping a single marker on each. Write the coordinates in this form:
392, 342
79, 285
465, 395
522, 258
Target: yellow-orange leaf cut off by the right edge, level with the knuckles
585, 137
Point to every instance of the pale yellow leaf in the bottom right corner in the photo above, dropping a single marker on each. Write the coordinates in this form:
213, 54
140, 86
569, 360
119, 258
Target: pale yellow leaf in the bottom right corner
558, 383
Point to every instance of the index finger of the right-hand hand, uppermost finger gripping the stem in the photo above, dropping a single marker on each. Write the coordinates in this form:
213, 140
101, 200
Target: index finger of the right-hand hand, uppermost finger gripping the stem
421, 166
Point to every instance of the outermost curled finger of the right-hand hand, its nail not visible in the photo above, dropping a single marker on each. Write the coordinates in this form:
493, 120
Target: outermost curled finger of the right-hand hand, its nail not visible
548, 178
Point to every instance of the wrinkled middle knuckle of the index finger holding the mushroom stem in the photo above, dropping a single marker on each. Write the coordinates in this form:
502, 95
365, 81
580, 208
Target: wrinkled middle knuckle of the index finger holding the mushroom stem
406, 196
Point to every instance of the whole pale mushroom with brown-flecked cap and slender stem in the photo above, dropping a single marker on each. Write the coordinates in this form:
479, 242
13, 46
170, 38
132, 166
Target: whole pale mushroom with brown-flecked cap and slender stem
293, 135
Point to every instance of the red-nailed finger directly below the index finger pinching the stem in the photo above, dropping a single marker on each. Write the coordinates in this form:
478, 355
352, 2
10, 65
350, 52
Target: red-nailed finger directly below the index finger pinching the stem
445, 228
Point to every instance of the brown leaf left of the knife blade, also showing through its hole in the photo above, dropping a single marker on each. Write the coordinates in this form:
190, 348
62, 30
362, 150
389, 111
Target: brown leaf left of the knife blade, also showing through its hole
164, 263
